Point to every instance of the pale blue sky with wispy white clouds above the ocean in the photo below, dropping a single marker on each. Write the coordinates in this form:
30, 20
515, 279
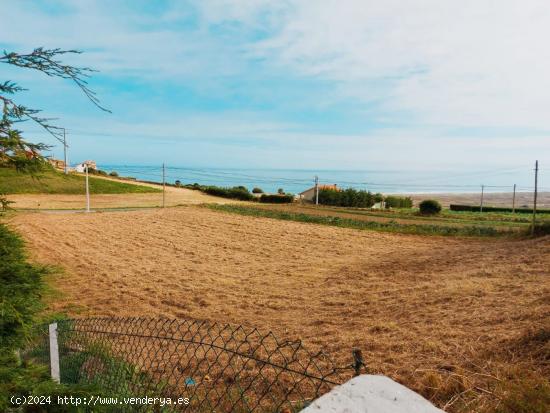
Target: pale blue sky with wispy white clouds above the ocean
346, 84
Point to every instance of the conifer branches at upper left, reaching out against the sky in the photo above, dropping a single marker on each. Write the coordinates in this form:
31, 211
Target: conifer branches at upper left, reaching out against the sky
15, 150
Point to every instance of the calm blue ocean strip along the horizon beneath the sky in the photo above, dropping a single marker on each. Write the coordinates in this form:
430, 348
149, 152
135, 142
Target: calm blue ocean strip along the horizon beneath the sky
298, 180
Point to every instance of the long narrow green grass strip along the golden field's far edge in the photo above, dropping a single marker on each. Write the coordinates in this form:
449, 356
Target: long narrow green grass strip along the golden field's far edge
421, 229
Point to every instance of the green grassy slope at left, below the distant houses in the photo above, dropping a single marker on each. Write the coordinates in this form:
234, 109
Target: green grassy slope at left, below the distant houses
54, 182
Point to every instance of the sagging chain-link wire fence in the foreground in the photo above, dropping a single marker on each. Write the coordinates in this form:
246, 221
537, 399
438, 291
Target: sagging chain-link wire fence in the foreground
216, 367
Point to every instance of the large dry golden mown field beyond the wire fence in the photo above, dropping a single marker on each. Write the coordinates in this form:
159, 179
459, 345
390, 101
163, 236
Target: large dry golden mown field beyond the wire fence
456, 319
